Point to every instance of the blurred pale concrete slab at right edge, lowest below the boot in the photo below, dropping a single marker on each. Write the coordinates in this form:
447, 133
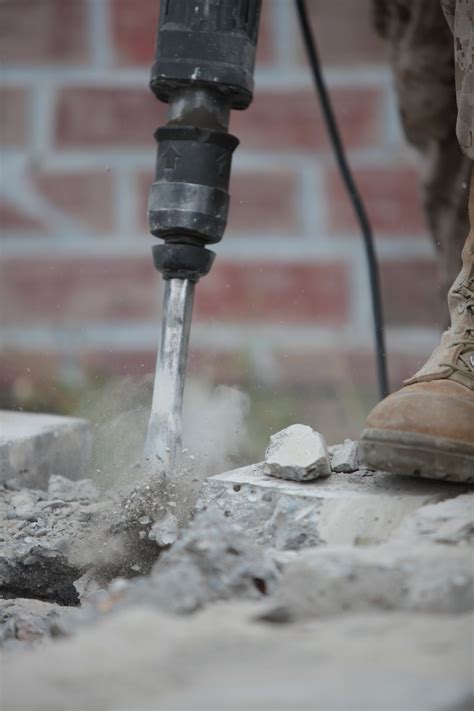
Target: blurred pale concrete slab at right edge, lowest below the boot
333, 580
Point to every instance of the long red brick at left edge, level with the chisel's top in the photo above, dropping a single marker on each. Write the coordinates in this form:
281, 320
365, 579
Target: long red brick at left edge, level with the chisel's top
78, 290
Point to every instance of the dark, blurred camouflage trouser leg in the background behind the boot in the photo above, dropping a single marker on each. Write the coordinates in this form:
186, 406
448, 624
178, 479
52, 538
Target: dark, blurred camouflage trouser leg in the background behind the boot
423, 62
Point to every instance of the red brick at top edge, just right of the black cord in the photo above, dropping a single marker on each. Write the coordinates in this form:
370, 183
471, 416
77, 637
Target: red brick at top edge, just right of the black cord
344, 33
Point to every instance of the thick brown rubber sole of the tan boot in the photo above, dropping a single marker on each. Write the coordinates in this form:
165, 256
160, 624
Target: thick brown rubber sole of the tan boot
417, 455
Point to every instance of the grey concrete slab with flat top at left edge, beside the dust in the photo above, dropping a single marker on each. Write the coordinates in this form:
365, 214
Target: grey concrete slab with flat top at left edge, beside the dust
34, 446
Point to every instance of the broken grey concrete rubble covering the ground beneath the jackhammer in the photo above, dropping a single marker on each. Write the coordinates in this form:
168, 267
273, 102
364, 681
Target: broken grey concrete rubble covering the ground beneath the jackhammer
265, 596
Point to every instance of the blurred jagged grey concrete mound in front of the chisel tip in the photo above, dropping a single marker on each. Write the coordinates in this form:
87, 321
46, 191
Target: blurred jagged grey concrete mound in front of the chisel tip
212, 560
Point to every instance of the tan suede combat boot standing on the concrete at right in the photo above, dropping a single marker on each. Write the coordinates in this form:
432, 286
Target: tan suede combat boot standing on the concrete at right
426, 429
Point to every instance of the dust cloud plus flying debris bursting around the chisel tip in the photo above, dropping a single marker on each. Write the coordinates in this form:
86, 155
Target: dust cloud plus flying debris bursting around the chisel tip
145, 510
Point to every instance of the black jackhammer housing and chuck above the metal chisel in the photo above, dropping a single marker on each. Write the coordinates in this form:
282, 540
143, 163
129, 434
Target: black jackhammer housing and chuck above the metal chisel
203, 68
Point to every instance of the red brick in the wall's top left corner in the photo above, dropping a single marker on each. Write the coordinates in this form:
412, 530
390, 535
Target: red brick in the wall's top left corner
43, 31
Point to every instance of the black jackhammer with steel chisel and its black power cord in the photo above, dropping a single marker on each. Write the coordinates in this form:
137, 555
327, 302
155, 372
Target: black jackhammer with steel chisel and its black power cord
203, 68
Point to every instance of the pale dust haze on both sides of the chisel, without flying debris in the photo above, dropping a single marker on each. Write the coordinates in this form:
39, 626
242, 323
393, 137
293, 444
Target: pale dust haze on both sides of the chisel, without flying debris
214, 429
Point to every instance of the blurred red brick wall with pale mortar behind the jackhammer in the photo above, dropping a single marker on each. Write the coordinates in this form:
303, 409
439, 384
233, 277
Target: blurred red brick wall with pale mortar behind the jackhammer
287, 301
